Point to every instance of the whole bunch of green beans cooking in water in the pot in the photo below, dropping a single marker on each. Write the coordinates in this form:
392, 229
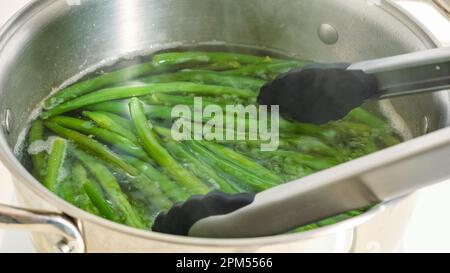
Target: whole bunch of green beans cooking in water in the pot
105, 144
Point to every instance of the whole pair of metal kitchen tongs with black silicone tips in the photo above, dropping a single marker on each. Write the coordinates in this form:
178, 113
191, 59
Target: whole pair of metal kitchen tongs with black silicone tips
376, 178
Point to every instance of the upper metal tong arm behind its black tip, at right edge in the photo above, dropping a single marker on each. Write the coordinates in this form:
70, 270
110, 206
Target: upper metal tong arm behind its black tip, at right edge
423, 71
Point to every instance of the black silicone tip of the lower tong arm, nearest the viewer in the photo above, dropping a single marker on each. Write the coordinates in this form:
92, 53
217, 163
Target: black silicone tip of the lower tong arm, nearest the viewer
182, 216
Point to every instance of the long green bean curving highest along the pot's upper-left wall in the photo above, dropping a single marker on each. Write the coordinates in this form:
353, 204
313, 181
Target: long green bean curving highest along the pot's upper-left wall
99, 82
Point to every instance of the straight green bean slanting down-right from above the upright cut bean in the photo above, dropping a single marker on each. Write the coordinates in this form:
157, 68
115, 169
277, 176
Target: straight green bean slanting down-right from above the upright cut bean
92, 145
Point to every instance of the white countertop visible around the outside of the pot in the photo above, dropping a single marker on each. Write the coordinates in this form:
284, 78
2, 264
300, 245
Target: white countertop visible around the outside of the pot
429, 227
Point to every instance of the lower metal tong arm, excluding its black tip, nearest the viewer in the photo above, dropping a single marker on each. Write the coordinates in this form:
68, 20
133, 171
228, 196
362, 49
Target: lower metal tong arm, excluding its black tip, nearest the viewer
384, 176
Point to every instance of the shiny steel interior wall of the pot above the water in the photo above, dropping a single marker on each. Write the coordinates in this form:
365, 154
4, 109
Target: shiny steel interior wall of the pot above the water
60, 40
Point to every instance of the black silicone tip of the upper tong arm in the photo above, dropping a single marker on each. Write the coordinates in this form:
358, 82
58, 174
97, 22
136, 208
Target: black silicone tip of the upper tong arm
319, 93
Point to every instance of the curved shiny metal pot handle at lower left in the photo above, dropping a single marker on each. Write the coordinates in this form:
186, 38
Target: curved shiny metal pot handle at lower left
45, 222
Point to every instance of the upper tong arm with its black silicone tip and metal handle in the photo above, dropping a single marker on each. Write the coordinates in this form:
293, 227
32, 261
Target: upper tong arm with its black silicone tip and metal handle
319, 93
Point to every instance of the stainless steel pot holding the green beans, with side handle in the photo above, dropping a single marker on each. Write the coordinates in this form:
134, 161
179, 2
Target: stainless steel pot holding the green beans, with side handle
52, 40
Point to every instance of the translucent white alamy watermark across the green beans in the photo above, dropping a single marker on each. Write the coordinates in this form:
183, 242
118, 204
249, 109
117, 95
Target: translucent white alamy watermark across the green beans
227, 123
